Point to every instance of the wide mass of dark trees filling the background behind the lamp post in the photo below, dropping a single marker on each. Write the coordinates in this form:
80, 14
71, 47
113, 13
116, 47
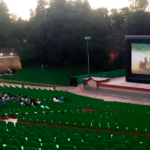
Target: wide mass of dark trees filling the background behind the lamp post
56, 29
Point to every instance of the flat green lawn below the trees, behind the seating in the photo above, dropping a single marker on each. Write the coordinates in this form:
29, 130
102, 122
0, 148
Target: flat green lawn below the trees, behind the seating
53, 76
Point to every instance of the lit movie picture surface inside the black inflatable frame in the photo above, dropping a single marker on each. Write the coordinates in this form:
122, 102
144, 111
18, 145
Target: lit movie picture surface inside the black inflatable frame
140, 58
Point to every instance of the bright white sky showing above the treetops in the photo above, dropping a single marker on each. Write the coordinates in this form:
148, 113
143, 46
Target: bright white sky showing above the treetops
21, 7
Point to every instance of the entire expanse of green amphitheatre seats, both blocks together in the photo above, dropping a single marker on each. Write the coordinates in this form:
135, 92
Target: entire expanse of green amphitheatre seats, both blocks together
80, 123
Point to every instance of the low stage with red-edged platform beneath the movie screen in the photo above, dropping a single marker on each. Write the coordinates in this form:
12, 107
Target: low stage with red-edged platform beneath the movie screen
118, 87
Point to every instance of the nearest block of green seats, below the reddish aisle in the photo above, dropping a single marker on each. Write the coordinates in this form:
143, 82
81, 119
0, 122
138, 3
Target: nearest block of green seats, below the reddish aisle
35, 137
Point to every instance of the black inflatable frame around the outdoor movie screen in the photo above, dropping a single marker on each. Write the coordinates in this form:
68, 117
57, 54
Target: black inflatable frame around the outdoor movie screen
129, 39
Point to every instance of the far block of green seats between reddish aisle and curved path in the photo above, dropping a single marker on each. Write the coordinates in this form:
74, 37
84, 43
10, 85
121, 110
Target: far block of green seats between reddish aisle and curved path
107, 115
